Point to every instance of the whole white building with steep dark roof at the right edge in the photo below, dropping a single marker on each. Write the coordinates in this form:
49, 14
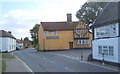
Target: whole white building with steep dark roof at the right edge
106, 34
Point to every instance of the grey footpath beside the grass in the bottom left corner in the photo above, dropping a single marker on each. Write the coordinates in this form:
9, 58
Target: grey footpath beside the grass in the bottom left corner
16, 65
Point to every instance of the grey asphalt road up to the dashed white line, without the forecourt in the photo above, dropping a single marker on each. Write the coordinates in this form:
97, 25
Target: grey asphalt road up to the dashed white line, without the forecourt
45, 62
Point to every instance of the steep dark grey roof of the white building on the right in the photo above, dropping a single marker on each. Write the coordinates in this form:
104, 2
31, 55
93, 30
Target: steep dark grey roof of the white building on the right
108, 16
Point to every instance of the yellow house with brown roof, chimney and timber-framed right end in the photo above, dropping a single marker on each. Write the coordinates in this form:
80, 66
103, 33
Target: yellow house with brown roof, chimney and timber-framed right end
60, 35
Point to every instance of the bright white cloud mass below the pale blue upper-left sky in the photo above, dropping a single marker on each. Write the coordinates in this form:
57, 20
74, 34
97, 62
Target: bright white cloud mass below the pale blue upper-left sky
20, 21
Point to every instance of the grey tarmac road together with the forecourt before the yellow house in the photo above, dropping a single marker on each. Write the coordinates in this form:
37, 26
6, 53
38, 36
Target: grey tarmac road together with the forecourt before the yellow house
61, 61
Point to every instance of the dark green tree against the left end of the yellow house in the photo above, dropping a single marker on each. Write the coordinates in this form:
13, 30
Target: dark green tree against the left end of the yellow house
34, 34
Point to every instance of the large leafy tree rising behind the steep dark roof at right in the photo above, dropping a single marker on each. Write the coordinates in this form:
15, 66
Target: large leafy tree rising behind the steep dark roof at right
90, 11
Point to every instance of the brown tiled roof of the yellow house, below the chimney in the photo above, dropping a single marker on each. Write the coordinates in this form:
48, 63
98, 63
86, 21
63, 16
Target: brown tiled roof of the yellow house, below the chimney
56, 26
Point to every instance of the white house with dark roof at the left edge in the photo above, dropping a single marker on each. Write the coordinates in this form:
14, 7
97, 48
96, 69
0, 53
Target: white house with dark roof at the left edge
7, 41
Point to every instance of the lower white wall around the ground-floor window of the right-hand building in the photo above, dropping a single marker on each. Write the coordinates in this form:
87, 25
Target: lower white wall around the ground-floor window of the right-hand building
106, 42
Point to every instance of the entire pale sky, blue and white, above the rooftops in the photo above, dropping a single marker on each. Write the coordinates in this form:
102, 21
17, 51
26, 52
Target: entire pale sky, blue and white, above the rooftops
19, 16
